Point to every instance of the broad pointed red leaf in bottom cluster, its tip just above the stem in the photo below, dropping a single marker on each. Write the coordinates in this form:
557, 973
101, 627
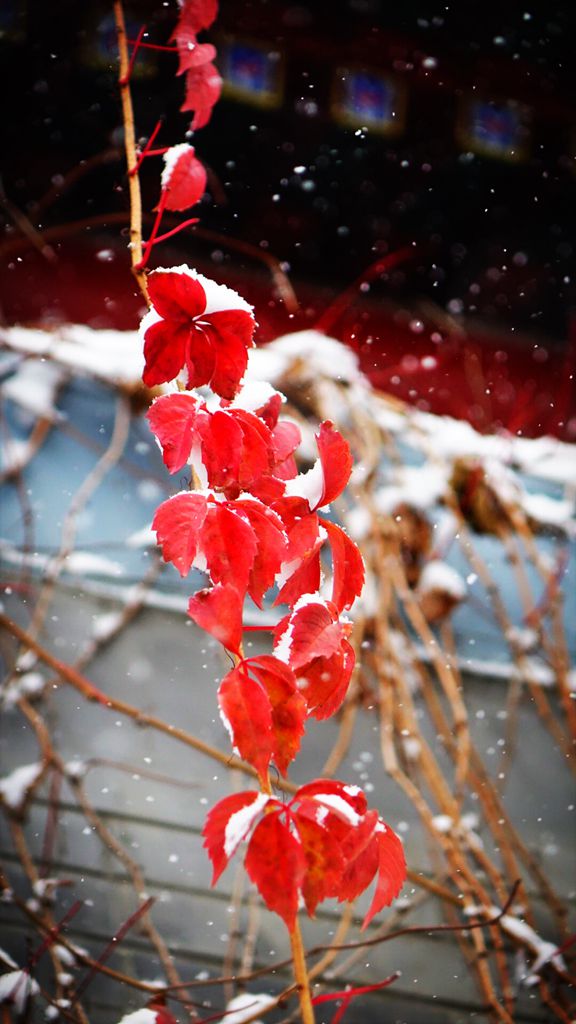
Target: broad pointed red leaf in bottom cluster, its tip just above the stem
276, 865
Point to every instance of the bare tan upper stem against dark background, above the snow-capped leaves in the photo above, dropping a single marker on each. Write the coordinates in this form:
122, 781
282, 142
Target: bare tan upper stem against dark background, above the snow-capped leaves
131, 147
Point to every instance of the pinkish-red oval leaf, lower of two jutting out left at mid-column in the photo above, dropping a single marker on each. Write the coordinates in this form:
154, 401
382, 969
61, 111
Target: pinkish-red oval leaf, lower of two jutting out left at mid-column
178, 524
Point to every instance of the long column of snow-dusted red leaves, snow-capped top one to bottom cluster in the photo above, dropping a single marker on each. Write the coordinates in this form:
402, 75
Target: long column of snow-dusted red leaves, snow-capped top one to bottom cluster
256, 526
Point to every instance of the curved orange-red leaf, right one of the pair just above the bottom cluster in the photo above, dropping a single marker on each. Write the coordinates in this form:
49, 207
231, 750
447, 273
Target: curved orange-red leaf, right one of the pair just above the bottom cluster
289, 707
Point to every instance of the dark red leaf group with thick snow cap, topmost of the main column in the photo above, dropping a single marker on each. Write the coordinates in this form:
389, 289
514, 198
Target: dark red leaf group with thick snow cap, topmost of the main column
198, 327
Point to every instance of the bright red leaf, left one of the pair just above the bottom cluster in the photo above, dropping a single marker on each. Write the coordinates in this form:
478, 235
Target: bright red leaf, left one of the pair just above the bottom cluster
246, 709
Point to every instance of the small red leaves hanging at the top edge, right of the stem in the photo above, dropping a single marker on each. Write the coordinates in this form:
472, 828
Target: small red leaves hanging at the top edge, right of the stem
203, 84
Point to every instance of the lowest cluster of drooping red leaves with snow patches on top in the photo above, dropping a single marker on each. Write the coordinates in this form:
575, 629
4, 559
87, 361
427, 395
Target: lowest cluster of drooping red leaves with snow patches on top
325, 843
